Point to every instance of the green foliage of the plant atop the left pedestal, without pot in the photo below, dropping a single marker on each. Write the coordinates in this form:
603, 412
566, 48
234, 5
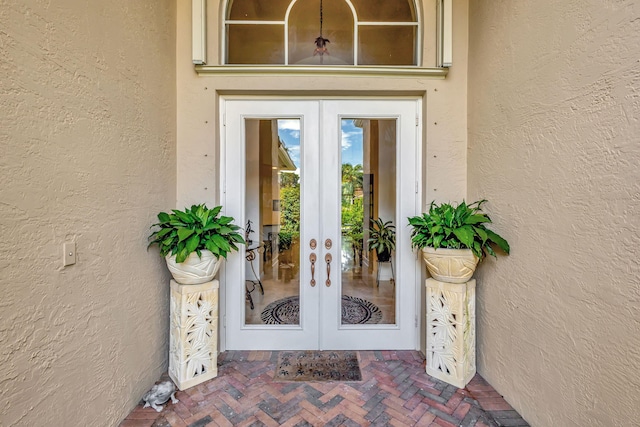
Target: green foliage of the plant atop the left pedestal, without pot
195, 229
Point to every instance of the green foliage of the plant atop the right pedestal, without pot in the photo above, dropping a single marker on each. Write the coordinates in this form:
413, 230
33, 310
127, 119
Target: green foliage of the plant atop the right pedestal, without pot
456, 227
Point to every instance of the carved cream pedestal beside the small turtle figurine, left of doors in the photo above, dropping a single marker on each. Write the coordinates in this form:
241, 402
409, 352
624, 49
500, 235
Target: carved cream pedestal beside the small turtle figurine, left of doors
193, 341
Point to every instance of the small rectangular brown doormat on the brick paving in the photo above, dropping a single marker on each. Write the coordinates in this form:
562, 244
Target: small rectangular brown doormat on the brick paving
318, 366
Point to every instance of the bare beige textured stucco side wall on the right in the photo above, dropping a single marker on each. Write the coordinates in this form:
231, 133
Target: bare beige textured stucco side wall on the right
554, 146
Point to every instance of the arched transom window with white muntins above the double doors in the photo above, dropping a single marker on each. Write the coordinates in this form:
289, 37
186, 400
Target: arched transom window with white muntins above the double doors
321, 32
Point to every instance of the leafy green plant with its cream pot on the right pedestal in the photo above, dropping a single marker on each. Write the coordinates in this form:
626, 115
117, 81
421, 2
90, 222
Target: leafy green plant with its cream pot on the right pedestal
454, 239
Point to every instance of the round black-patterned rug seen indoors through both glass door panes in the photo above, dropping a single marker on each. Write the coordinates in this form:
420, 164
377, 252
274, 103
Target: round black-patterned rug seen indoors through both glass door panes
355, 311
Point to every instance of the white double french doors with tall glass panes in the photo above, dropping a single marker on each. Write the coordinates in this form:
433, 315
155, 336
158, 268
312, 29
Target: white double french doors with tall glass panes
308, 180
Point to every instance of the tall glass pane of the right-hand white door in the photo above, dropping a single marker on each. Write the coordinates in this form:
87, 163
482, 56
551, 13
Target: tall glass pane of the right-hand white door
368, 198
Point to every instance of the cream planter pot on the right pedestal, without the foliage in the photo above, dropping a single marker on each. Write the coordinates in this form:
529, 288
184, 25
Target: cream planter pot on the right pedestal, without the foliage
450, 265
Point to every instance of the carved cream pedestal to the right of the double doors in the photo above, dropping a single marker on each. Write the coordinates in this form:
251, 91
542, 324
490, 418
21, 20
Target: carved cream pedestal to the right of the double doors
451, 331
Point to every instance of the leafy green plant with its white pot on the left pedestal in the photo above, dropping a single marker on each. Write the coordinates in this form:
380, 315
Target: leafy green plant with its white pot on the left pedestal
194, 241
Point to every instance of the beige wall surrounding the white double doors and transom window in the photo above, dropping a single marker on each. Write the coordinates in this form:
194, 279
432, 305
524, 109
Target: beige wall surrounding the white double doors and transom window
444, 112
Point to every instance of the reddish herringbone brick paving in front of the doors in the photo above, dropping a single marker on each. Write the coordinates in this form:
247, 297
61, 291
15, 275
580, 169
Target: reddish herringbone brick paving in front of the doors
394, 391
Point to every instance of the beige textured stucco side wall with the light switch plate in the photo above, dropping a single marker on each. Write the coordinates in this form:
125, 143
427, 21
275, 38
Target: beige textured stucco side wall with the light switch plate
87, 155
